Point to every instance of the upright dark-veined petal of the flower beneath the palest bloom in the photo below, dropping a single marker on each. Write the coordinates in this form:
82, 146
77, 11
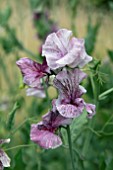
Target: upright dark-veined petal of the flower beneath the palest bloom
67, 82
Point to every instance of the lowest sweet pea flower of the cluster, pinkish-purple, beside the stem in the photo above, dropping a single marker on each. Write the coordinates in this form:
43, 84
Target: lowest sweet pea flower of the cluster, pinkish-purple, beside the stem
44, 133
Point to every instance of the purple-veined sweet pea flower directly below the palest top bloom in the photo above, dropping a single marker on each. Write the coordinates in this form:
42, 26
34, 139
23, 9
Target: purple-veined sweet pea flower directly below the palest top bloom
69, 103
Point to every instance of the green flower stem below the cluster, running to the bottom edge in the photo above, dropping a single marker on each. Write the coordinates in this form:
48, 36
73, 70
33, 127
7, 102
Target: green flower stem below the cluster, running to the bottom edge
70, 146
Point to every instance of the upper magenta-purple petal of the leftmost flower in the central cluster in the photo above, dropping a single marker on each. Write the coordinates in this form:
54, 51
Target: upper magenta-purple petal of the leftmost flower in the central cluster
32, 71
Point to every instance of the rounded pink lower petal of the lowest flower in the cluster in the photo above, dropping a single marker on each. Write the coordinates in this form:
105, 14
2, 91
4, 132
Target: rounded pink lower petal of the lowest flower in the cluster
44, 138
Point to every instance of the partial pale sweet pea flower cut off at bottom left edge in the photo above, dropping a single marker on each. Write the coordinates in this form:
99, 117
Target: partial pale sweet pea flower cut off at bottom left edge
4, 159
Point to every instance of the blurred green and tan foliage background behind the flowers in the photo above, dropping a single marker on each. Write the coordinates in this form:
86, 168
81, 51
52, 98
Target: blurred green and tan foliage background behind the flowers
21, 35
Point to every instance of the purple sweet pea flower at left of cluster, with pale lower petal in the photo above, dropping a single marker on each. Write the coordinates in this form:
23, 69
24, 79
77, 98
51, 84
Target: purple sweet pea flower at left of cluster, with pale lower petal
32, 73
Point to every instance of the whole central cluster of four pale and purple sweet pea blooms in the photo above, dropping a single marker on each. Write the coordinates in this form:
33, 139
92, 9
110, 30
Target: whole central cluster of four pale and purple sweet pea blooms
64, 56
